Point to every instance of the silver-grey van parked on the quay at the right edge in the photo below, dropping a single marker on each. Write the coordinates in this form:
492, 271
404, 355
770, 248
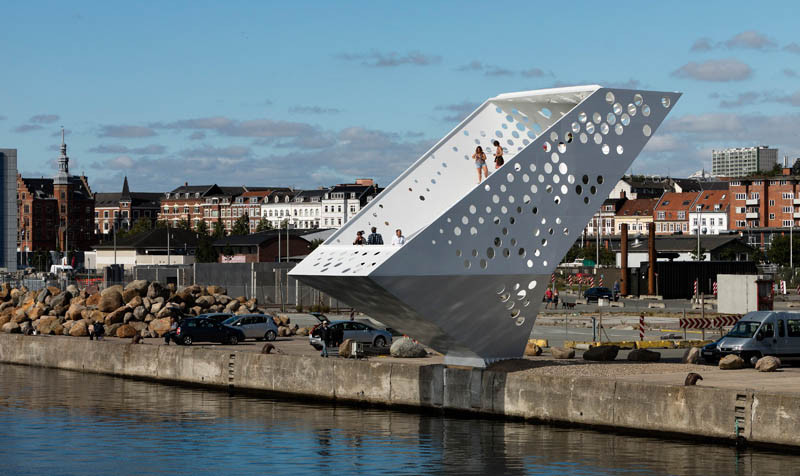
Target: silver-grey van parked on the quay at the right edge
757, 334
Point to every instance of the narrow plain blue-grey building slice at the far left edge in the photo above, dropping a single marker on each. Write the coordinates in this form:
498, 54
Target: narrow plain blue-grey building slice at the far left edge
8, 209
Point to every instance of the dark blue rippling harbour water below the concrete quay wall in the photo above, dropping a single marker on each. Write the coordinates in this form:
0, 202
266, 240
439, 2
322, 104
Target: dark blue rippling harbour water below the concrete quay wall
58, 422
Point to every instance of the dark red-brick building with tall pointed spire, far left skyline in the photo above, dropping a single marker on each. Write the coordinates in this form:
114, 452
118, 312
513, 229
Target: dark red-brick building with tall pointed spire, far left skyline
55, 214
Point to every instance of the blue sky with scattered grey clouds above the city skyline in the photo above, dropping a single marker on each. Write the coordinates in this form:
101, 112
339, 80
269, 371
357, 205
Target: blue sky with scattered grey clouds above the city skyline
316, 93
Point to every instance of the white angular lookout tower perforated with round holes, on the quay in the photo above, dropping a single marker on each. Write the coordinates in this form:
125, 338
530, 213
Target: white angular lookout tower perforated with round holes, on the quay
478, 257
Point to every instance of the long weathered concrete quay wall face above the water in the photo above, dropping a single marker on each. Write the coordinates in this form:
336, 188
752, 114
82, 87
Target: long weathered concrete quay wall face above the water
707, 412
